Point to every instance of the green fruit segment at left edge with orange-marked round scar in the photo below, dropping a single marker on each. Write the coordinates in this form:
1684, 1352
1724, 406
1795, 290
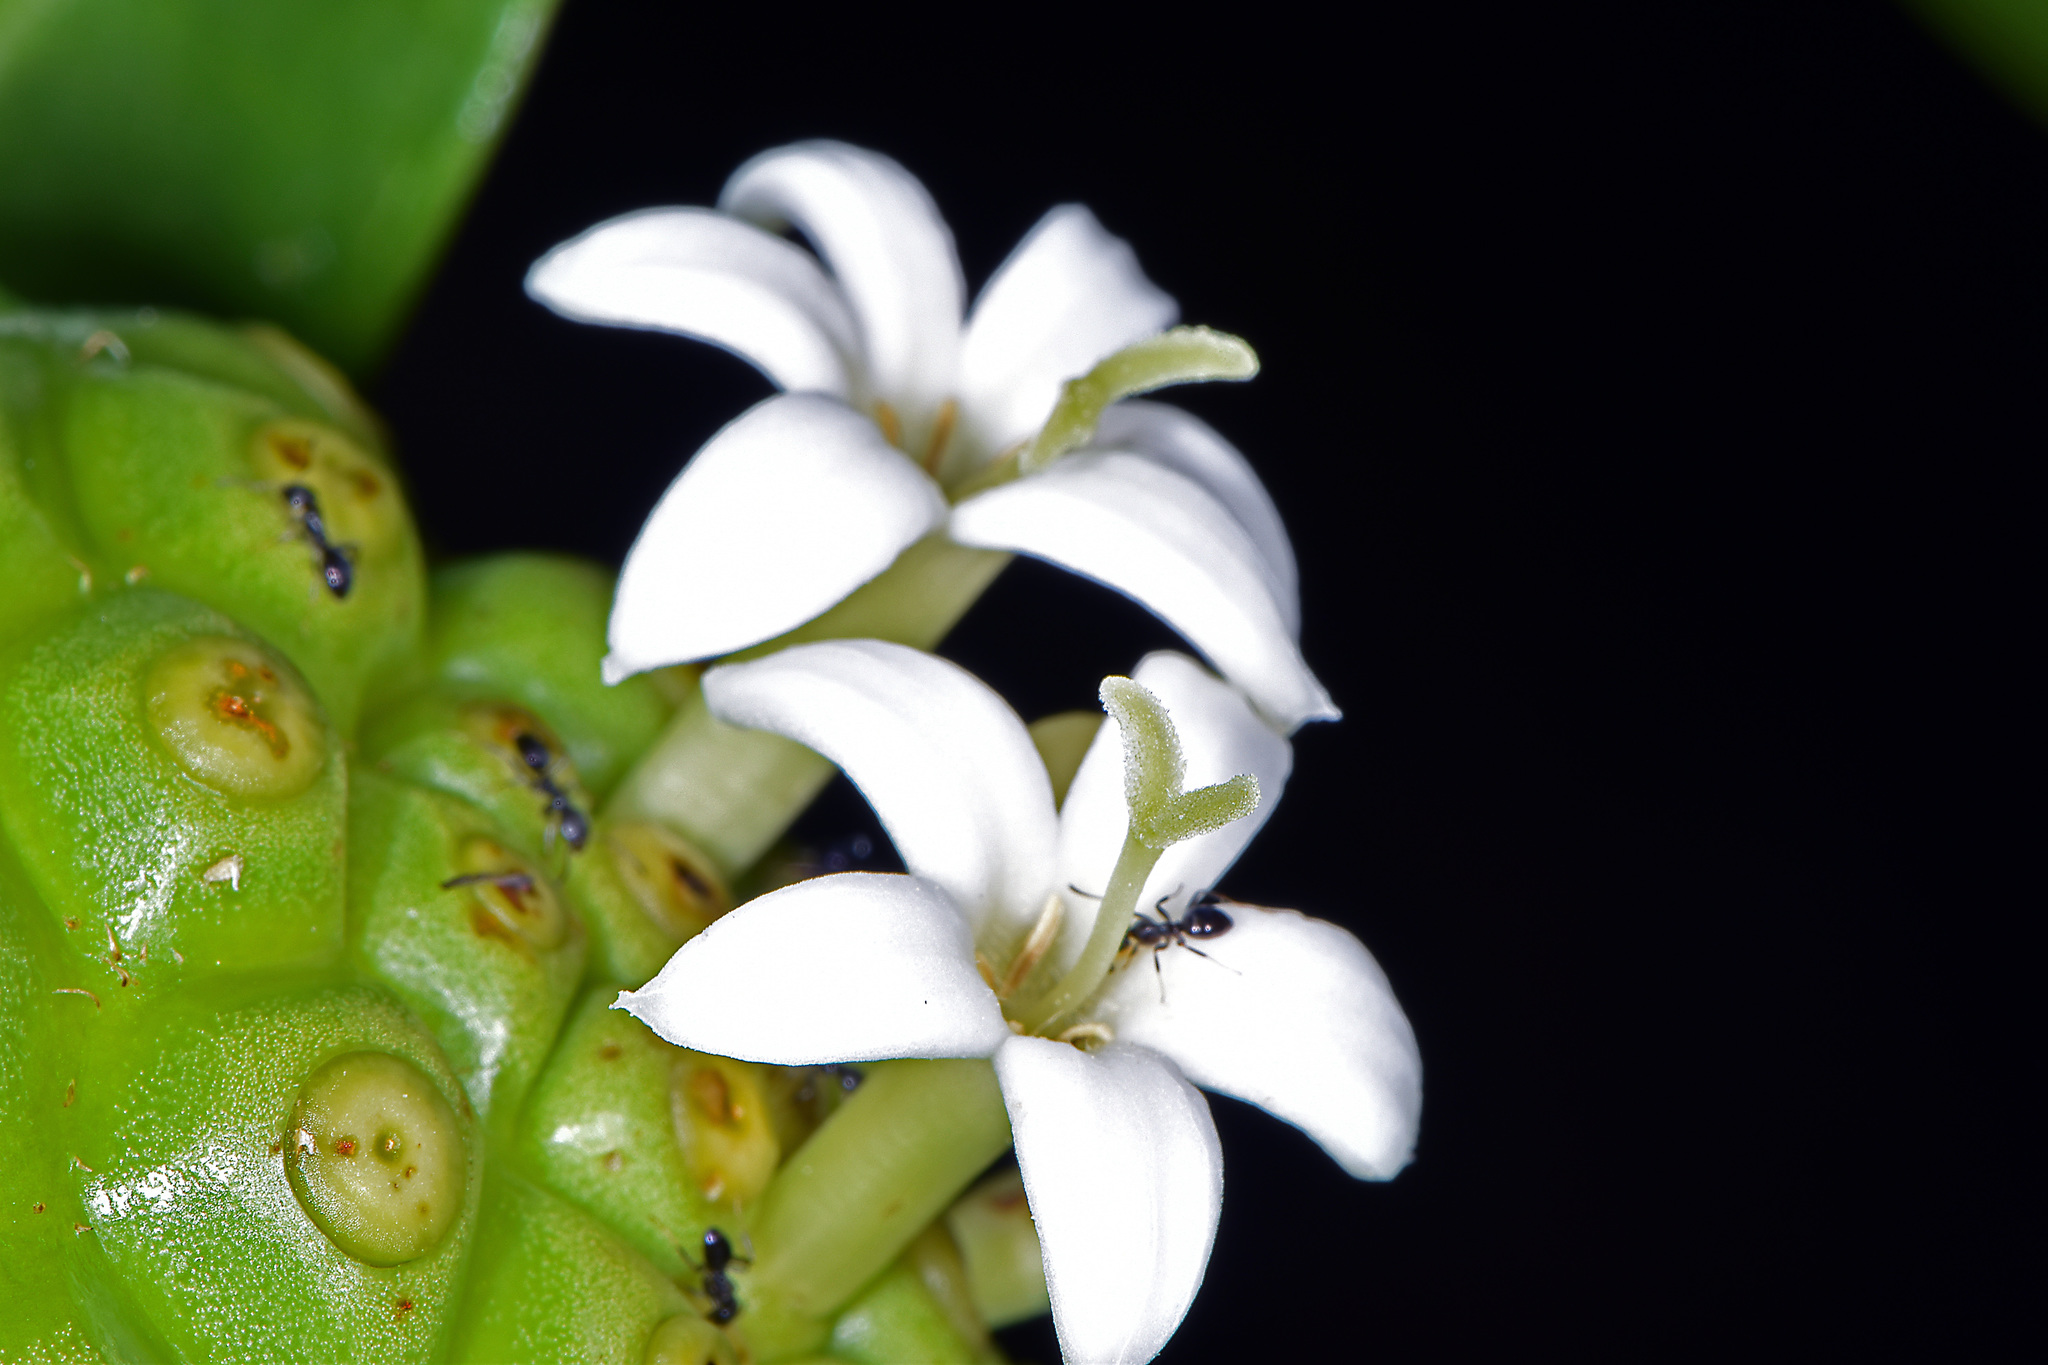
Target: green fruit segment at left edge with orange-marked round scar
173, 793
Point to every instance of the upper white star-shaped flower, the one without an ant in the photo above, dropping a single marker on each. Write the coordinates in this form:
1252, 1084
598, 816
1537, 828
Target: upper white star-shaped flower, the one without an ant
898, 416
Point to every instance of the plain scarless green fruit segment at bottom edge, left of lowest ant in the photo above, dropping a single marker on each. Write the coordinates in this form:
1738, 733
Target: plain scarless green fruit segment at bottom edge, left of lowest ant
552, 1284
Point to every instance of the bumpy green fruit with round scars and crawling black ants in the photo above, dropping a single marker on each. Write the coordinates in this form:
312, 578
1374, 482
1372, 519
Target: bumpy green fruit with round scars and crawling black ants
312, 916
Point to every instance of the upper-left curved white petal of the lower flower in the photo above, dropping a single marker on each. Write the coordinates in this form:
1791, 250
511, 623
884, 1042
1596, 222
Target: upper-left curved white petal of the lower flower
947, 766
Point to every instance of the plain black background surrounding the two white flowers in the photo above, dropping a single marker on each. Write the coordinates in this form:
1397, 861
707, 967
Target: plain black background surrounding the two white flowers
1641, 388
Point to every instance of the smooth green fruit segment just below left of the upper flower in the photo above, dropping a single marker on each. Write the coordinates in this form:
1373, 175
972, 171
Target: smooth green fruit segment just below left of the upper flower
531, 629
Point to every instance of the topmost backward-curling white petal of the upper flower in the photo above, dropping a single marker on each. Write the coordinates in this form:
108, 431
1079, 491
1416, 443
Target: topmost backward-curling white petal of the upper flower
884, 240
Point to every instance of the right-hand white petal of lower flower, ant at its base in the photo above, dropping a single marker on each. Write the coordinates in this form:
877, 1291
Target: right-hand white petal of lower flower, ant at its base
1291, 1014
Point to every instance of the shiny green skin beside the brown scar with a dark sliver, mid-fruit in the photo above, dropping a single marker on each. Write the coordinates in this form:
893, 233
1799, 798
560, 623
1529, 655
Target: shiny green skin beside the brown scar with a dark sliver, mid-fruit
493, 1000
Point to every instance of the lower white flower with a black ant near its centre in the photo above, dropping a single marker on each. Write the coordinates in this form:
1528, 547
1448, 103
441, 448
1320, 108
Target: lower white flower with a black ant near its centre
1119, 1153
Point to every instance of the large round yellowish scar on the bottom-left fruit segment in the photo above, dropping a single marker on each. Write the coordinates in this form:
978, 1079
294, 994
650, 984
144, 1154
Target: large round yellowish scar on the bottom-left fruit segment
376, 1157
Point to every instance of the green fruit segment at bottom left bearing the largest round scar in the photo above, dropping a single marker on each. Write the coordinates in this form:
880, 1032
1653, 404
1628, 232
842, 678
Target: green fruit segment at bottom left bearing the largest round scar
224, 1235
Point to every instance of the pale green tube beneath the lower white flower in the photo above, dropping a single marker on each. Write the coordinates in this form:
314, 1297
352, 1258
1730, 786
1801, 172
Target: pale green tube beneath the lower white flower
878, 1174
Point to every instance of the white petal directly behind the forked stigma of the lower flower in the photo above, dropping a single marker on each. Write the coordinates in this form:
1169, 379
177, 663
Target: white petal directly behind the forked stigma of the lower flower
1220, 738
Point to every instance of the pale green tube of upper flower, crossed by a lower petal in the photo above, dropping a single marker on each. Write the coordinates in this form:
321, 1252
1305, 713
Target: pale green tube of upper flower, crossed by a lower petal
734, 793
